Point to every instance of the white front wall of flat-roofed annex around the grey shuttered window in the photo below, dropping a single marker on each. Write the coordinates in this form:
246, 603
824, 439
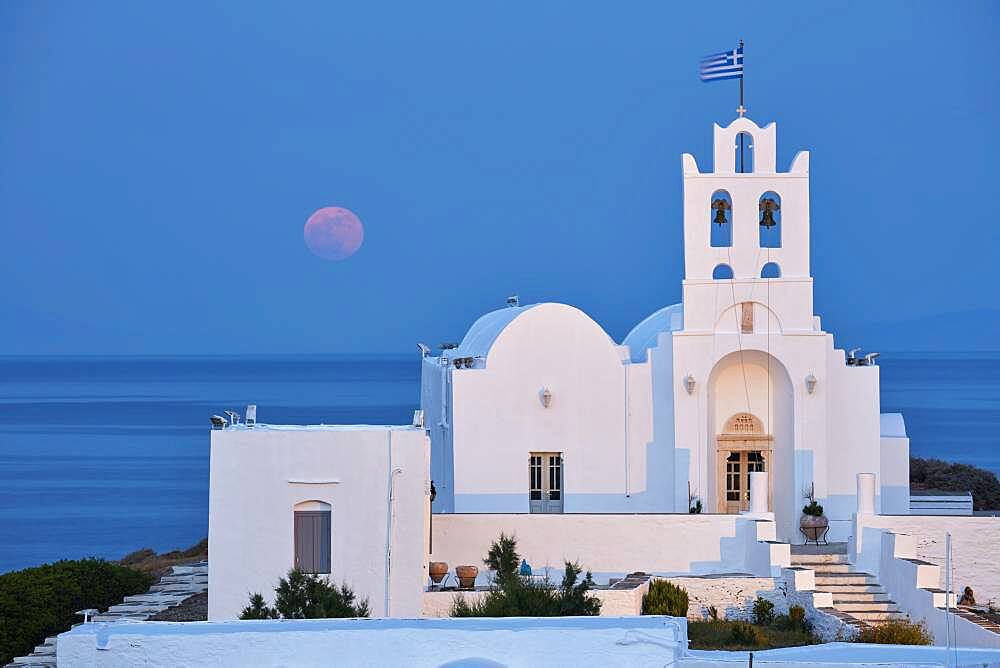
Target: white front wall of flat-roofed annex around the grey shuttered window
259, 474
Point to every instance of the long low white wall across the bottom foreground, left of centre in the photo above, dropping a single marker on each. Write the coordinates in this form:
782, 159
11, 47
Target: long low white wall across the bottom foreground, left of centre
585, 641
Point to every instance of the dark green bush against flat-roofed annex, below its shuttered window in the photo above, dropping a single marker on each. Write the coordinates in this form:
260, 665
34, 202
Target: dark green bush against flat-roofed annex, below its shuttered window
306, 596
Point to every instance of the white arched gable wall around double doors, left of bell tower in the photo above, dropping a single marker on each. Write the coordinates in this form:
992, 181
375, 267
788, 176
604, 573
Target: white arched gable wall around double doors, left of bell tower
600, 423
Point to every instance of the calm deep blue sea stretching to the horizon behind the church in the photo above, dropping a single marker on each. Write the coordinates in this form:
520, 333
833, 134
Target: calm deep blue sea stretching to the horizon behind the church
100, 456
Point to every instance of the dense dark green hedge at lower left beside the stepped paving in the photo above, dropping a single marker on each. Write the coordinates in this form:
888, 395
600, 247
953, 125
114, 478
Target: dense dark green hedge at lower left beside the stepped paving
42, 601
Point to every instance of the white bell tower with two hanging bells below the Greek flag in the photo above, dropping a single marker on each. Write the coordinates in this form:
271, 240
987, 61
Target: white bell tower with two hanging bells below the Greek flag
764, 253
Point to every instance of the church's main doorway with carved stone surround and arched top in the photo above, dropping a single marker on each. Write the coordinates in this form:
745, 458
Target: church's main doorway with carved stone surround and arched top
741, 449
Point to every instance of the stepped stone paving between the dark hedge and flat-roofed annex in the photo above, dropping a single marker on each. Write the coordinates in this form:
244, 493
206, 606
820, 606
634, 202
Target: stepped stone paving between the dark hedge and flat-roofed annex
182, 583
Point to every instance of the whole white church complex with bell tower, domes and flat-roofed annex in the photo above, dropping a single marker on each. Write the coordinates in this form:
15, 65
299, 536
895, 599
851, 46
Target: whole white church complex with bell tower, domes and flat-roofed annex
630, 456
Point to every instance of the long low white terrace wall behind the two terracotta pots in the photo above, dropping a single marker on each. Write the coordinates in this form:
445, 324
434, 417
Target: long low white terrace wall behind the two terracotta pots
607, 545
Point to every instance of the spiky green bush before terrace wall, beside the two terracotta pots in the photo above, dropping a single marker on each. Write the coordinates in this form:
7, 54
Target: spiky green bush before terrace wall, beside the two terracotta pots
514, 595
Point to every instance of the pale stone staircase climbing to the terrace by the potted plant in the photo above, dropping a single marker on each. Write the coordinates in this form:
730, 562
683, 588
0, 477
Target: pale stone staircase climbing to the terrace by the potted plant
857, 597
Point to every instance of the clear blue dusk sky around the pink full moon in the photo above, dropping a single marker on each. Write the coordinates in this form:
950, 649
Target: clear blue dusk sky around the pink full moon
158, 162
